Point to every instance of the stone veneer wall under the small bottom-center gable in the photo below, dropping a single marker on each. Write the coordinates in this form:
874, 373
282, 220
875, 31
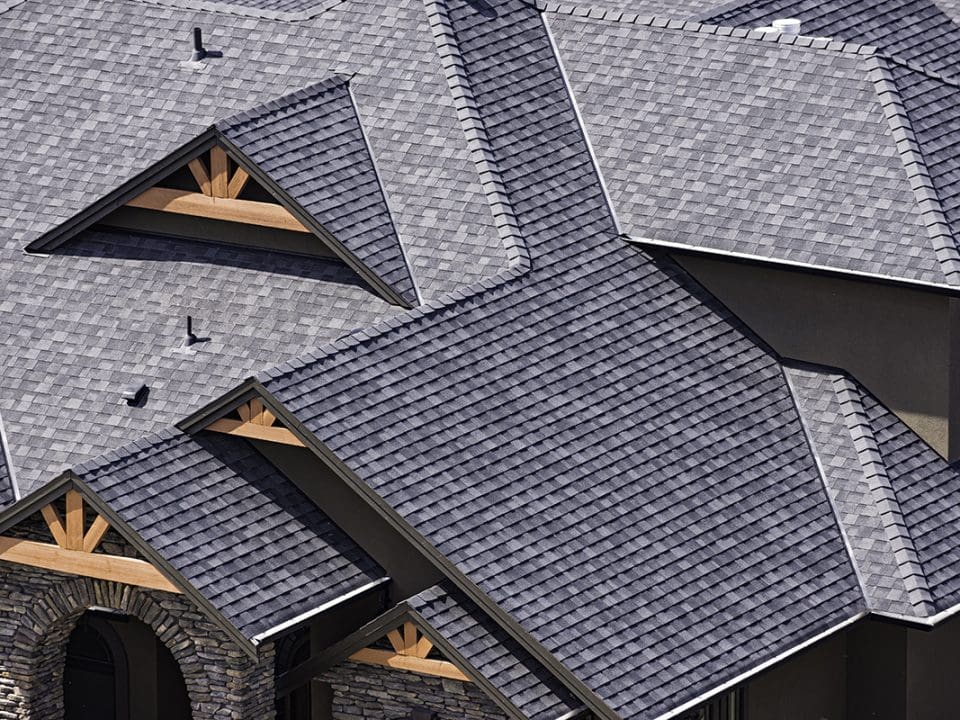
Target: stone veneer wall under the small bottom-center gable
371, 692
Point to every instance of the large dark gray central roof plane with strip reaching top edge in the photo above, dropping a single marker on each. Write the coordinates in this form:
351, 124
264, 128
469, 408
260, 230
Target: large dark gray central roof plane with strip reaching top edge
569, 438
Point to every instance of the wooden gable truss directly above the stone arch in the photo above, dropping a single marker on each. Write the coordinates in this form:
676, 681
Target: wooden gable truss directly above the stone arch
74, 553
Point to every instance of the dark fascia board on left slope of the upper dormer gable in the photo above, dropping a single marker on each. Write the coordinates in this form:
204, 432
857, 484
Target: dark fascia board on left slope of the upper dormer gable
119, 197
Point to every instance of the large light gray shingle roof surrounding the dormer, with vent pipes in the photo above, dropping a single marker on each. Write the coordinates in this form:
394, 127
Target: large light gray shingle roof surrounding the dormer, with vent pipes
93, 93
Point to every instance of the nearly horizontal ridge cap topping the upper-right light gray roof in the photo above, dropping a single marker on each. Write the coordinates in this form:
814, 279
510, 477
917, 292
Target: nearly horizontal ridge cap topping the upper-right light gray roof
660, 22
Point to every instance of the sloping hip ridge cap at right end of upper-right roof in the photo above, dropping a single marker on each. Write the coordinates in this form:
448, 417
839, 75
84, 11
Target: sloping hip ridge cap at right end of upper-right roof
931, 207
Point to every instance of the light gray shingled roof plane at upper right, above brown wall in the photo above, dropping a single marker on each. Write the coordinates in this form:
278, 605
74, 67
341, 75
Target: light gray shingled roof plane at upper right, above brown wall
748, 146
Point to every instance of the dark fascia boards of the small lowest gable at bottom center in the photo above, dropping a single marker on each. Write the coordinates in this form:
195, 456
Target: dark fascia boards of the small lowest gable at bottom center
374, 630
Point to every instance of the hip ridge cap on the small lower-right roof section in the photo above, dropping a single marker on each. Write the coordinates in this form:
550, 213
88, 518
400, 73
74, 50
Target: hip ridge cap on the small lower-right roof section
865, 445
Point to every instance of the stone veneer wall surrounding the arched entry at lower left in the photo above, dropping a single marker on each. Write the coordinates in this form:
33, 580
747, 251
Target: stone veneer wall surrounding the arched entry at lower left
39, 609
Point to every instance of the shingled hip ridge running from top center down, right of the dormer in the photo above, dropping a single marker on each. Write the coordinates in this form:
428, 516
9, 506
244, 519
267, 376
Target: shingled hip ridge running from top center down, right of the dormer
478, 141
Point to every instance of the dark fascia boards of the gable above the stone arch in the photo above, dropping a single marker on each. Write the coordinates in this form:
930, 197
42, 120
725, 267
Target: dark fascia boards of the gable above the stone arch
71, 481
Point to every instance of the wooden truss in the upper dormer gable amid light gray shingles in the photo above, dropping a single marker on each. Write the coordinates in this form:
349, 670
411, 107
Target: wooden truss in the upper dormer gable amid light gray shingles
218, 197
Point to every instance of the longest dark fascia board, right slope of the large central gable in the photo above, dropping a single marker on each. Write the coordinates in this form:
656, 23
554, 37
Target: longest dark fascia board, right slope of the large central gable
441, 562
